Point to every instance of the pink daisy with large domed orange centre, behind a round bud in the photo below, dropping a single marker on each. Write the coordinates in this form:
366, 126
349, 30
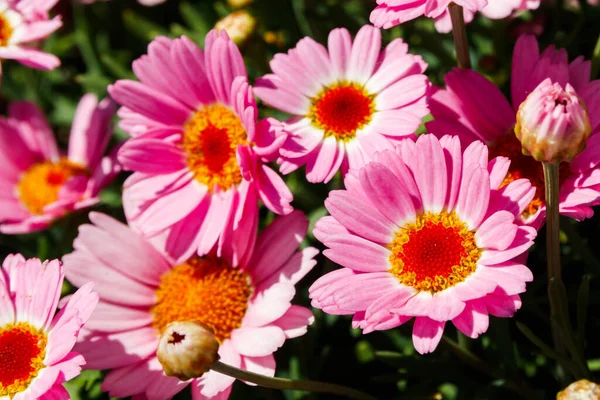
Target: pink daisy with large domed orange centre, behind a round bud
141, 293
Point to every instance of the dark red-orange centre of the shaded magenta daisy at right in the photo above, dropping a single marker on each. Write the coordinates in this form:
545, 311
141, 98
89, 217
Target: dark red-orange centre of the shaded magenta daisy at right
524, 167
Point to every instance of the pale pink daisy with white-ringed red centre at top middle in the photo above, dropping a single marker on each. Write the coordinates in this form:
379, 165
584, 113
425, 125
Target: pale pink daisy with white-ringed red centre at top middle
349, 101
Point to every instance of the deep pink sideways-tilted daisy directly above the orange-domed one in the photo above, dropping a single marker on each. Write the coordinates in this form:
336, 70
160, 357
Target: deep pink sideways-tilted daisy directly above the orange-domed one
197, 150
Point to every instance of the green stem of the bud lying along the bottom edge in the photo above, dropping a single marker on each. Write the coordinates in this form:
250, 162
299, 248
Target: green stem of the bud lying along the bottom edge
289, 384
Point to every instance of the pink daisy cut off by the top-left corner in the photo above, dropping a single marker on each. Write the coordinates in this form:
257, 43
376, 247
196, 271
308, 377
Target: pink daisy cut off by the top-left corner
23, 22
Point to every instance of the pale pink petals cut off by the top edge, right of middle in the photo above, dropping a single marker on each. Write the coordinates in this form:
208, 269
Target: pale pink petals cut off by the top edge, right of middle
390, 13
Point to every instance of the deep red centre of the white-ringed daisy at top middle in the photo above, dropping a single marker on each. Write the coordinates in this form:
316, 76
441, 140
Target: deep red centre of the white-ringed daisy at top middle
341, 110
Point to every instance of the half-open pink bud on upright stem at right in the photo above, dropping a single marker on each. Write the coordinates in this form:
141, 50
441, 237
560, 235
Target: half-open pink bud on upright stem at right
552, 123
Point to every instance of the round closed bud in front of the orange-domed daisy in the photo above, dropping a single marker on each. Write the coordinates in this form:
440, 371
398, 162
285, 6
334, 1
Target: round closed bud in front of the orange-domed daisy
187, 349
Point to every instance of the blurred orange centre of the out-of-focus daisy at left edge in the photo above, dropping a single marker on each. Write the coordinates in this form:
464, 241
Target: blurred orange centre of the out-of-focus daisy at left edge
40, 184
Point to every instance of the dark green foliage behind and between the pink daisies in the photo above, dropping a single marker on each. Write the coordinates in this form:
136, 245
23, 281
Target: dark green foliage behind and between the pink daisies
97, 45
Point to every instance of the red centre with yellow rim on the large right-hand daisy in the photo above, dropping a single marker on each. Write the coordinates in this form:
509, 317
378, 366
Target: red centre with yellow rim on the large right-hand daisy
433, 253
